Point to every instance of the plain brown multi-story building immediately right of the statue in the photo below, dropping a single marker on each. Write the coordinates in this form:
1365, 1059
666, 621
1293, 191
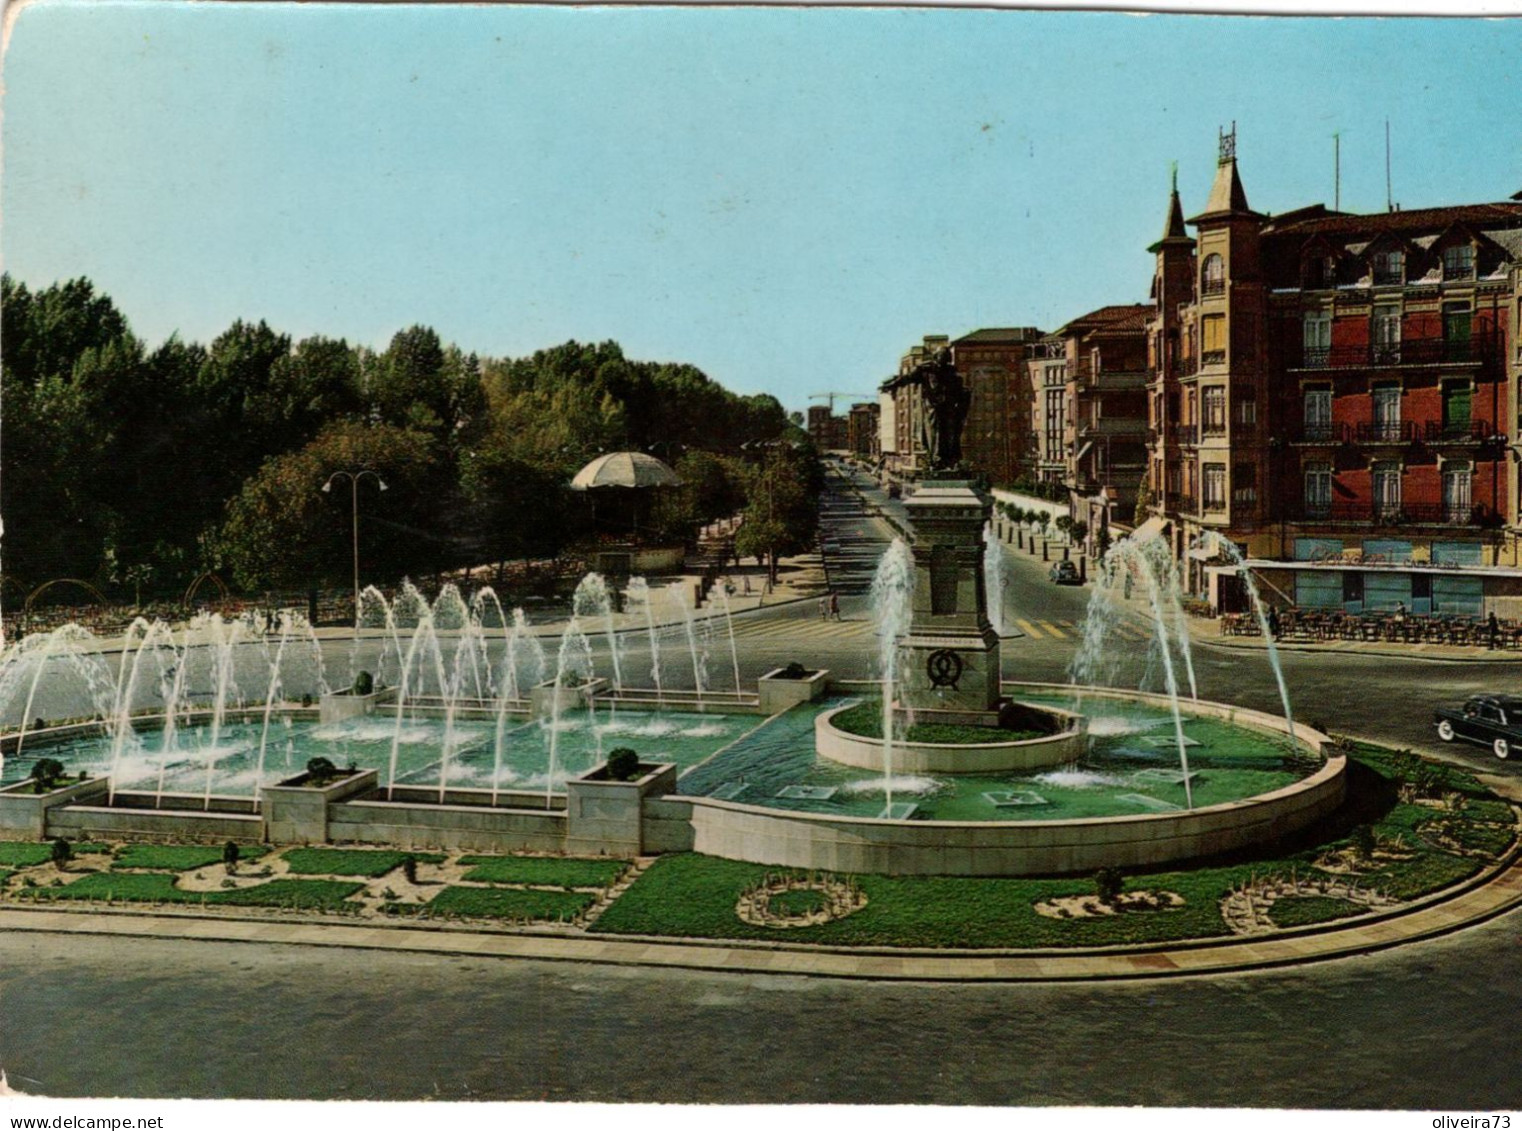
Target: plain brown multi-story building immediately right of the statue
993, 365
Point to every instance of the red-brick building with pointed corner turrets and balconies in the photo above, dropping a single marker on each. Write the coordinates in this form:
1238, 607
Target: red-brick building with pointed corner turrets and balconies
1336, 395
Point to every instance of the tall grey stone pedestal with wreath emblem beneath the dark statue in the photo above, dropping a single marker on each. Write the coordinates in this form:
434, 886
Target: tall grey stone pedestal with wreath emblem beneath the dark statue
950, 658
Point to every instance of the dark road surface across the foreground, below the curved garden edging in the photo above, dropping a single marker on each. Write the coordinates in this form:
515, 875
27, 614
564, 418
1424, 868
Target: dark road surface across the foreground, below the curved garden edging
1425, 1027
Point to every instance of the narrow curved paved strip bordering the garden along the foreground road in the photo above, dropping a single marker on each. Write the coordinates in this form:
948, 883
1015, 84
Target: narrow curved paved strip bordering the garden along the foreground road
1471, 905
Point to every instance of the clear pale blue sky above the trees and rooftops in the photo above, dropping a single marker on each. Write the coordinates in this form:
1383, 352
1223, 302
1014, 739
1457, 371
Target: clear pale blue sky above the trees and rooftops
785, 197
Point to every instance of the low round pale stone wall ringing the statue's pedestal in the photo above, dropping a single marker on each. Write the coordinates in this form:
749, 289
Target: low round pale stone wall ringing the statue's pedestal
908, 757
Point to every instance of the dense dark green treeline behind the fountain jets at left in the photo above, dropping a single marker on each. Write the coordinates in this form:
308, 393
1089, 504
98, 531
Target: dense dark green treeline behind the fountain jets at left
139, 470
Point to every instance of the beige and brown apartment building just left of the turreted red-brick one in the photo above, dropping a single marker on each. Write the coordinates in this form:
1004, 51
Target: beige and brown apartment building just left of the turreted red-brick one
1089, 389
